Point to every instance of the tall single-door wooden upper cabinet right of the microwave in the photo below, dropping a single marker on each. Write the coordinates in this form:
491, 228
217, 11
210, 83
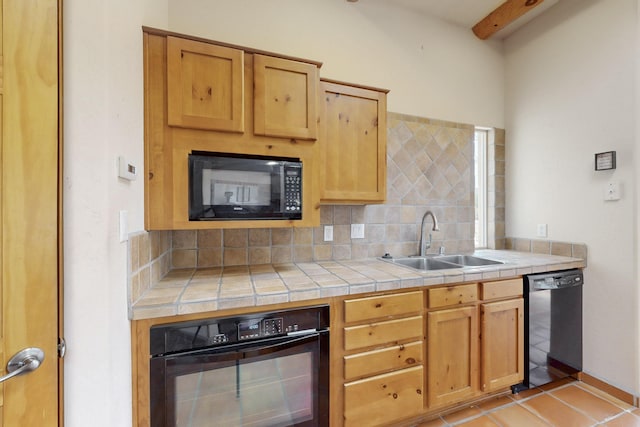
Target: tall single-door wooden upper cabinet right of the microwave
354, 144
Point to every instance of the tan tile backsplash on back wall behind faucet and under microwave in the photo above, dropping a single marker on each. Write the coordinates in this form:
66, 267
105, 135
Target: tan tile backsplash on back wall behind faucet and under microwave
429, 166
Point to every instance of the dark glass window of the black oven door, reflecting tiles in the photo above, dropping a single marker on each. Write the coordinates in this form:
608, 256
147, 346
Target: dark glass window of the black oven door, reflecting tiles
273, 383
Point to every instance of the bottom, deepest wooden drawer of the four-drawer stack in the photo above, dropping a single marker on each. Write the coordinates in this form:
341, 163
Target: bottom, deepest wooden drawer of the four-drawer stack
384, 399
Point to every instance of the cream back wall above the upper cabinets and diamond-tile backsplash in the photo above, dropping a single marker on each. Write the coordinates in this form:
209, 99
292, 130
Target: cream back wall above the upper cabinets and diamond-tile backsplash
432, 68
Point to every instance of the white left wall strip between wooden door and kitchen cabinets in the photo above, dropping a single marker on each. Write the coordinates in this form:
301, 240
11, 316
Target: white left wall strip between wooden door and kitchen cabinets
103, 117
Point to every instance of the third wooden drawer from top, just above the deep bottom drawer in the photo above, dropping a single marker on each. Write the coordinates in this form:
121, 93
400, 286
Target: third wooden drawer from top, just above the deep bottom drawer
377, 361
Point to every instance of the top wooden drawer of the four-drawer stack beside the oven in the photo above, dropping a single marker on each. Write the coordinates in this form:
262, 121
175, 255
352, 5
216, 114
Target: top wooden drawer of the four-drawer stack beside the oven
381, 306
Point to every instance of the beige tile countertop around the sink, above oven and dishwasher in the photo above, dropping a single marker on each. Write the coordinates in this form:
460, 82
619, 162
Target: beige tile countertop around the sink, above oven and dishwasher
210, 289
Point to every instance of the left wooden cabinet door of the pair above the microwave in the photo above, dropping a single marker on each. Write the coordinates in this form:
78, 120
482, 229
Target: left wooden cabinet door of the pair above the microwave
204, 86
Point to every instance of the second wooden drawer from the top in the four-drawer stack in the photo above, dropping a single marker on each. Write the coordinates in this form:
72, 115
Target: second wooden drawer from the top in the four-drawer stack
378, 333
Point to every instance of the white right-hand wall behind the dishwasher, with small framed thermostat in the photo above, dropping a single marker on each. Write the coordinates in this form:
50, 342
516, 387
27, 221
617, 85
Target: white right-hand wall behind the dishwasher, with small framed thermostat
570, 93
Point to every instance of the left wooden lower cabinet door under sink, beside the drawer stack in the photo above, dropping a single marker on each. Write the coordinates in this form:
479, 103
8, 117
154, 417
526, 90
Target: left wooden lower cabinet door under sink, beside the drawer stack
452, 349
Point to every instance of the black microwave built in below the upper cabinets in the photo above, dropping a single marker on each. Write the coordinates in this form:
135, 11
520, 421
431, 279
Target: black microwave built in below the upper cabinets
225, 186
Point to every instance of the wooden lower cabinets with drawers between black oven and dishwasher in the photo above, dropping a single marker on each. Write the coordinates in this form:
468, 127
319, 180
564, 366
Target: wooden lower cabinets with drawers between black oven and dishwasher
408, 354
